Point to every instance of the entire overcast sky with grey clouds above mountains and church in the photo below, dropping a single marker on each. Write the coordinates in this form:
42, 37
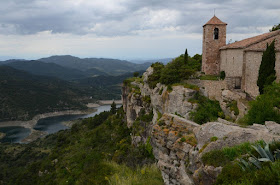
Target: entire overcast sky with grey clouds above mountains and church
124, 29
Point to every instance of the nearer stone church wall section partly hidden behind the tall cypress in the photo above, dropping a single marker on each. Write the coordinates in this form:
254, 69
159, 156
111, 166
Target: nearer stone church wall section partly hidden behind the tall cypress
253, 61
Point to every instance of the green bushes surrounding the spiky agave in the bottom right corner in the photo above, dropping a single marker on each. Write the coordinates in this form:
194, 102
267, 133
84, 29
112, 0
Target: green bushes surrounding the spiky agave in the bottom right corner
234, 173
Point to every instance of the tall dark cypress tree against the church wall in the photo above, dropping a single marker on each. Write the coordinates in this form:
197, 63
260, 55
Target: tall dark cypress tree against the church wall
267, 69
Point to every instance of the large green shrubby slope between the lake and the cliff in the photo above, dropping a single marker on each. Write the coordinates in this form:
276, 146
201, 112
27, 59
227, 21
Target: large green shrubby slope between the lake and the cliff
97, 150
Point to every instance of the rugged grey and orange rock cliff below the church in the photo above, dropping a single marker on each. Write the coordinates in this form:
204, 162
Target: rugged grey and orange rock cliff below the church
162, 115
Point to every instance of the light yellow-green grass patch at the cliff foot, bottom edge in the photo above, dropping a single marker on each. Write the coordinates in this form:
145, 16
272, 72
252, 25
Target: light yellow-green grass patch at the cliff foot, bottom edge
147, 174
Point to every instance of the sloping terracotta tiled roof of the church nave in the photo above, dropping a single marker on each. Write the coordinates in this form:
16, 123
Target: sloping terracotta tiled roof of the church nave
257, 41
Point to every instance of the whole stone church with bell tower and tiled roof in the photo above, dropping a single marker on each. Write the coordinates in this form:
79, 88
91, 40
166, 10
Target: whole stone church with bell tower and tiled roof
240, 60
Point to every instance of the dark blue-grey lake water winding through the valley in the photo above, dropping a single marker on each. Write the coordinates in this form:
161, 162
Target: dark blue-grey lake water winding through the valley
49, 125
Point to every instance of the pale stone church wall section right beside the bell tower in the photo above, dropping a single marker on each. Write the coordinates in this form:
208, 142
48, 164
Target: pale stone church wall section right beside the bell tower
232, 62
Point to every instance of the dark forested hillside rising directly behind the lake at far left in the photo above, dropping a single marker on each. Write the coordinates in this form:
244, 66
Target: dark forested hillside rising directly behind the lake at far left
24, 95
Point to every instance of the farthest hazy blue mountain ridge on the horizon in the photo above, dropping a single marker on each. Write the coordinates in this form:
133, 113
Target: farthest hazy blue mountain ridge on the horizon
110, 66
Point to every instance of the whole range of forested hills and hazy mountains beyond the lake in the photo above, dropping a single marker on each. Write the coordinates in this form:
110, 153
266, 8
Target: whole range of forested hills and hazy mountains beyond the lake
59, 83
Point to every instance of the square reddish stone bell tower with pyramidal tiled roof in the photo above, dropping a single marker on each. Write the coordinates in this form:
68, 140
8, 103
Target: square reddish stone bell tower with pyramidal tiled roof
214, 37
